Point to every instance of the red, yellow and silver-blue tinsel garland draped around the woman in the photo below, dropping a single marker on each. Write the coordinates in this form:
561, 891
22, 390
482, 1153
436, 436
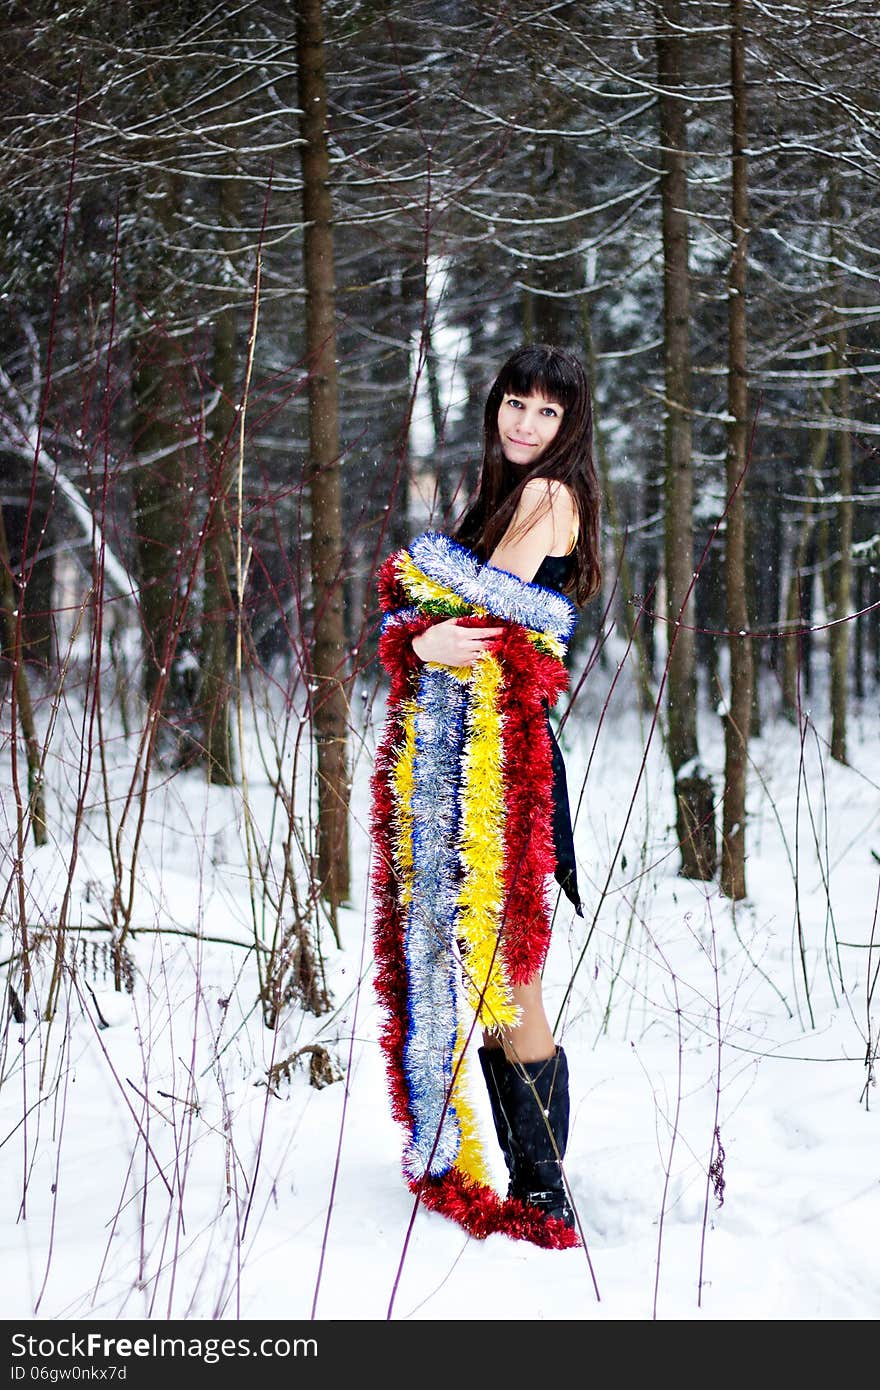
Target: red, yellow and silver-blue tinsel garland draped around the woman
464, 849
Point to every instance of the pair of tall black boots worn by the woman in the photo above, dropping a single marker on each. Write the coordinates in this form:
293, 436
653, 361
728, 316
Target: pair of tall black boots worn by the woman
530, 1109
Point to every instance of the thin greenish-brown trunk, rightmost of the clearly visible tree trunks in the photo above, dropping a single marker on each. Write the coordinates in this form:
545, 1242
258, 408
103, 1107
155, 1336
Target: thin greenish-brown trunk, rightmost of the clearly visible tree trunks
842, 578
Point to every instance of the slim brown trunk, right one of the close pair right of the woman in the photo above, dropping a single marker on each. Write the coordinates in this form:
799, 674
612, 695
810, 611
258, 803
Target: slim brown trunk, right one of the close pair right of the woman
740, 704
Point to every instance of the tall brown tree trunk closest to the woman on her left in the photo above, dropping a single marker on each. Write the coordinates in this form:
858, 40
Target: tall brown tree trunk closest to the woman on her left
329, 651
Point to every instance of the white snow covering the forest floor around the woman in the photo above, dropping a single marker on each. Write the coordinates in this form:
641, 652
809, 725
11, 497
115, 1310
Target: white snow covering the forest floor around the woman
154, 1174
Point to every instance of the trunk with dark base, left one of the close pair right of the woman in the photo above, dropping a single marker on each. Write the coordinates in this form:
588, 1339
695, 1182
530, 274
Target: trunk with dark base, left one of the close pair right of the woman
694, 804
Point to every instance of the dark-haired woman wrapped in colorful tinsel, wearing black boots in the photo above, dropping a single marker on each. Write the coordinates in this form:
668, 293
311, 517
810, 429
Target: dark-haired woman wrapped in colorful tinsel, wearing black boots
471, 808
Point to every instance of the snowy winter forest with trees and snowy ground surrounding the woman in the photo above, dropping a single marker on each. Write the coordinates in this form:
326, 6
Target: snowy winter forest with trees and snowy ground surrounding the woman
261, 263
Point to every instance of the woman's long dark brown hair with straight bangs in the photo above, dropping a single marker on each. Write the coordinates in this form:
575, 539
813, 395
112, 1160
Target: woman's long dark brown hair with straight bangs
558, 376
